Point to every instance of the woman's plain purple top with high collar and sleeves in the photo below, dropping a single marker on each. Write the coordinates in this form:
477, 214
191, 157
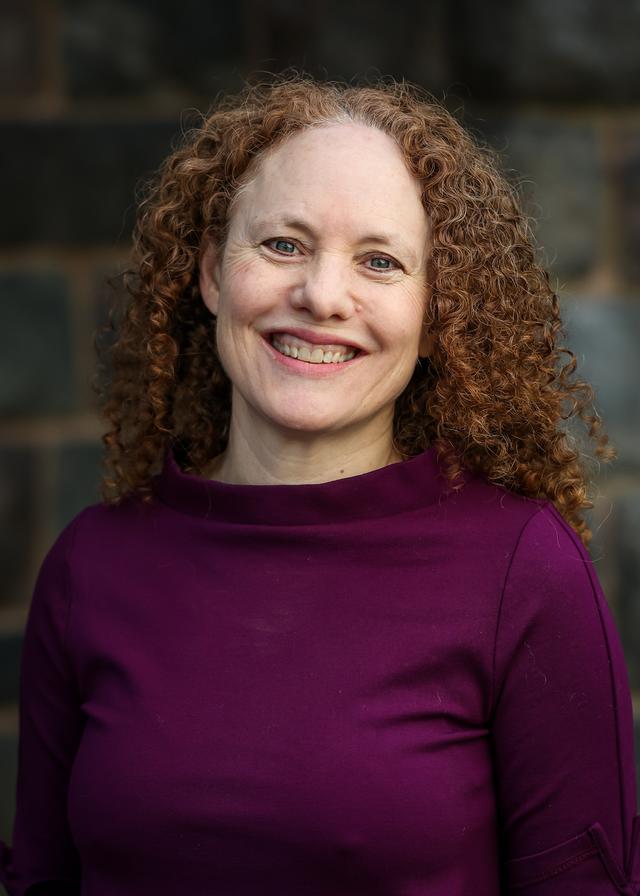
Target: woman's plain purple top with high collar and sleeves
368, 686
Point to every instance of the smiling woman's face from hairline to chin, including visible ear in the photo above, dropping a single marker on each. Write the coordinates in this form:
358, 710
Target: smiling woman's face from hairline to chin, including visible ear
326, 252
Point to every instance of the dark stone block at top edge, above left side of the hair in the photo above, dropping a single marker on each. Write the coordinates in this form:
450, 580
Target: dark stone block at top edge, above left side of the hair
150, 47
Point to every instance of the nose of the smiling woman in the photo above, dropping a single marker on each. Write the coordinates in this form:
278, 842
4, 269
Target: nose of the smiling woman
324, 290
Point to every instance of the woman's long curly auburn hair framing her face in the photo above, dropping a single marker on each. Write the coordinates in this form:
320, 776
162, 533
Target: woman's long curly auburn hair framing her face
495, 396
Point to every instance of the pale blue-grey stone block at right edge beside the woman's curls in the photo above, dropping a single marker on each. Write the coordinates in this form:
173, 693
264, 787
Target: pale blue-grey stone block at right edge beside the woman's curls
604, 336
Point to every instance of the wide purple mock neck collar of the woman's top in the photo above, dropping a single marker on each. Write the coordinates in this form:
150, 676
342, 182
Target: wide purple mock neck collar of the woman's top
396, 488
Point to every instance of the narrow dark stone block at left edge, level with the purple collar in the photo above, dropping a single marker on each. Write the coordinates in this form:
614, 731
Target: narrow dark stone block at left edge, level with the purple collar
17, 498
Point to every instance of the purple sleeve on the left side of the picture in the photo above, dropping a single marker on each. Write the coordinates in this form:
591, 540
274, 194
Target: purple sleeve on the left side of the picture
43, 859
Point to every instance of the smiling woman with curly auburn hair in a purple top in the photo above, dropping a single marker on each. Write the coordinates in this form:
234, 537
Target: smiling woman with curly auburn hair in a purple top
333, 629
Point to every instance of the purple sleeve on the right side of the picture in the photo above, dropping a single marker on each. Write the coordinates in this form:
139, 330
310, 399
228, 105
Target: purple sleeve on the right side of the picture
562, 732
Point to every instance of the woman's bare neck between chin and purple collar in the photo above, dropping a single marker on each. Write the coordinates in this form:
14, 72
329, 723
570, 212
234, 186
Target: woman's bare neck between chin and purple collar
262, 455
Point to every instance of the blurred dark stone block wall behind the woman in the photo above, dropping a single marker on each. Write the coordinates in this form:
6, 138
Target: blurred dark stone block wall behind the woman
92, 93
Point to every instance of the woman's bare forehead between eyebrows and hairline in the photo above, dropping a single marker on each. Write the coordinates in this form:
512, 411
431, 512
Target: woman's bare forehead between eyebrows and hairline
341, 175
